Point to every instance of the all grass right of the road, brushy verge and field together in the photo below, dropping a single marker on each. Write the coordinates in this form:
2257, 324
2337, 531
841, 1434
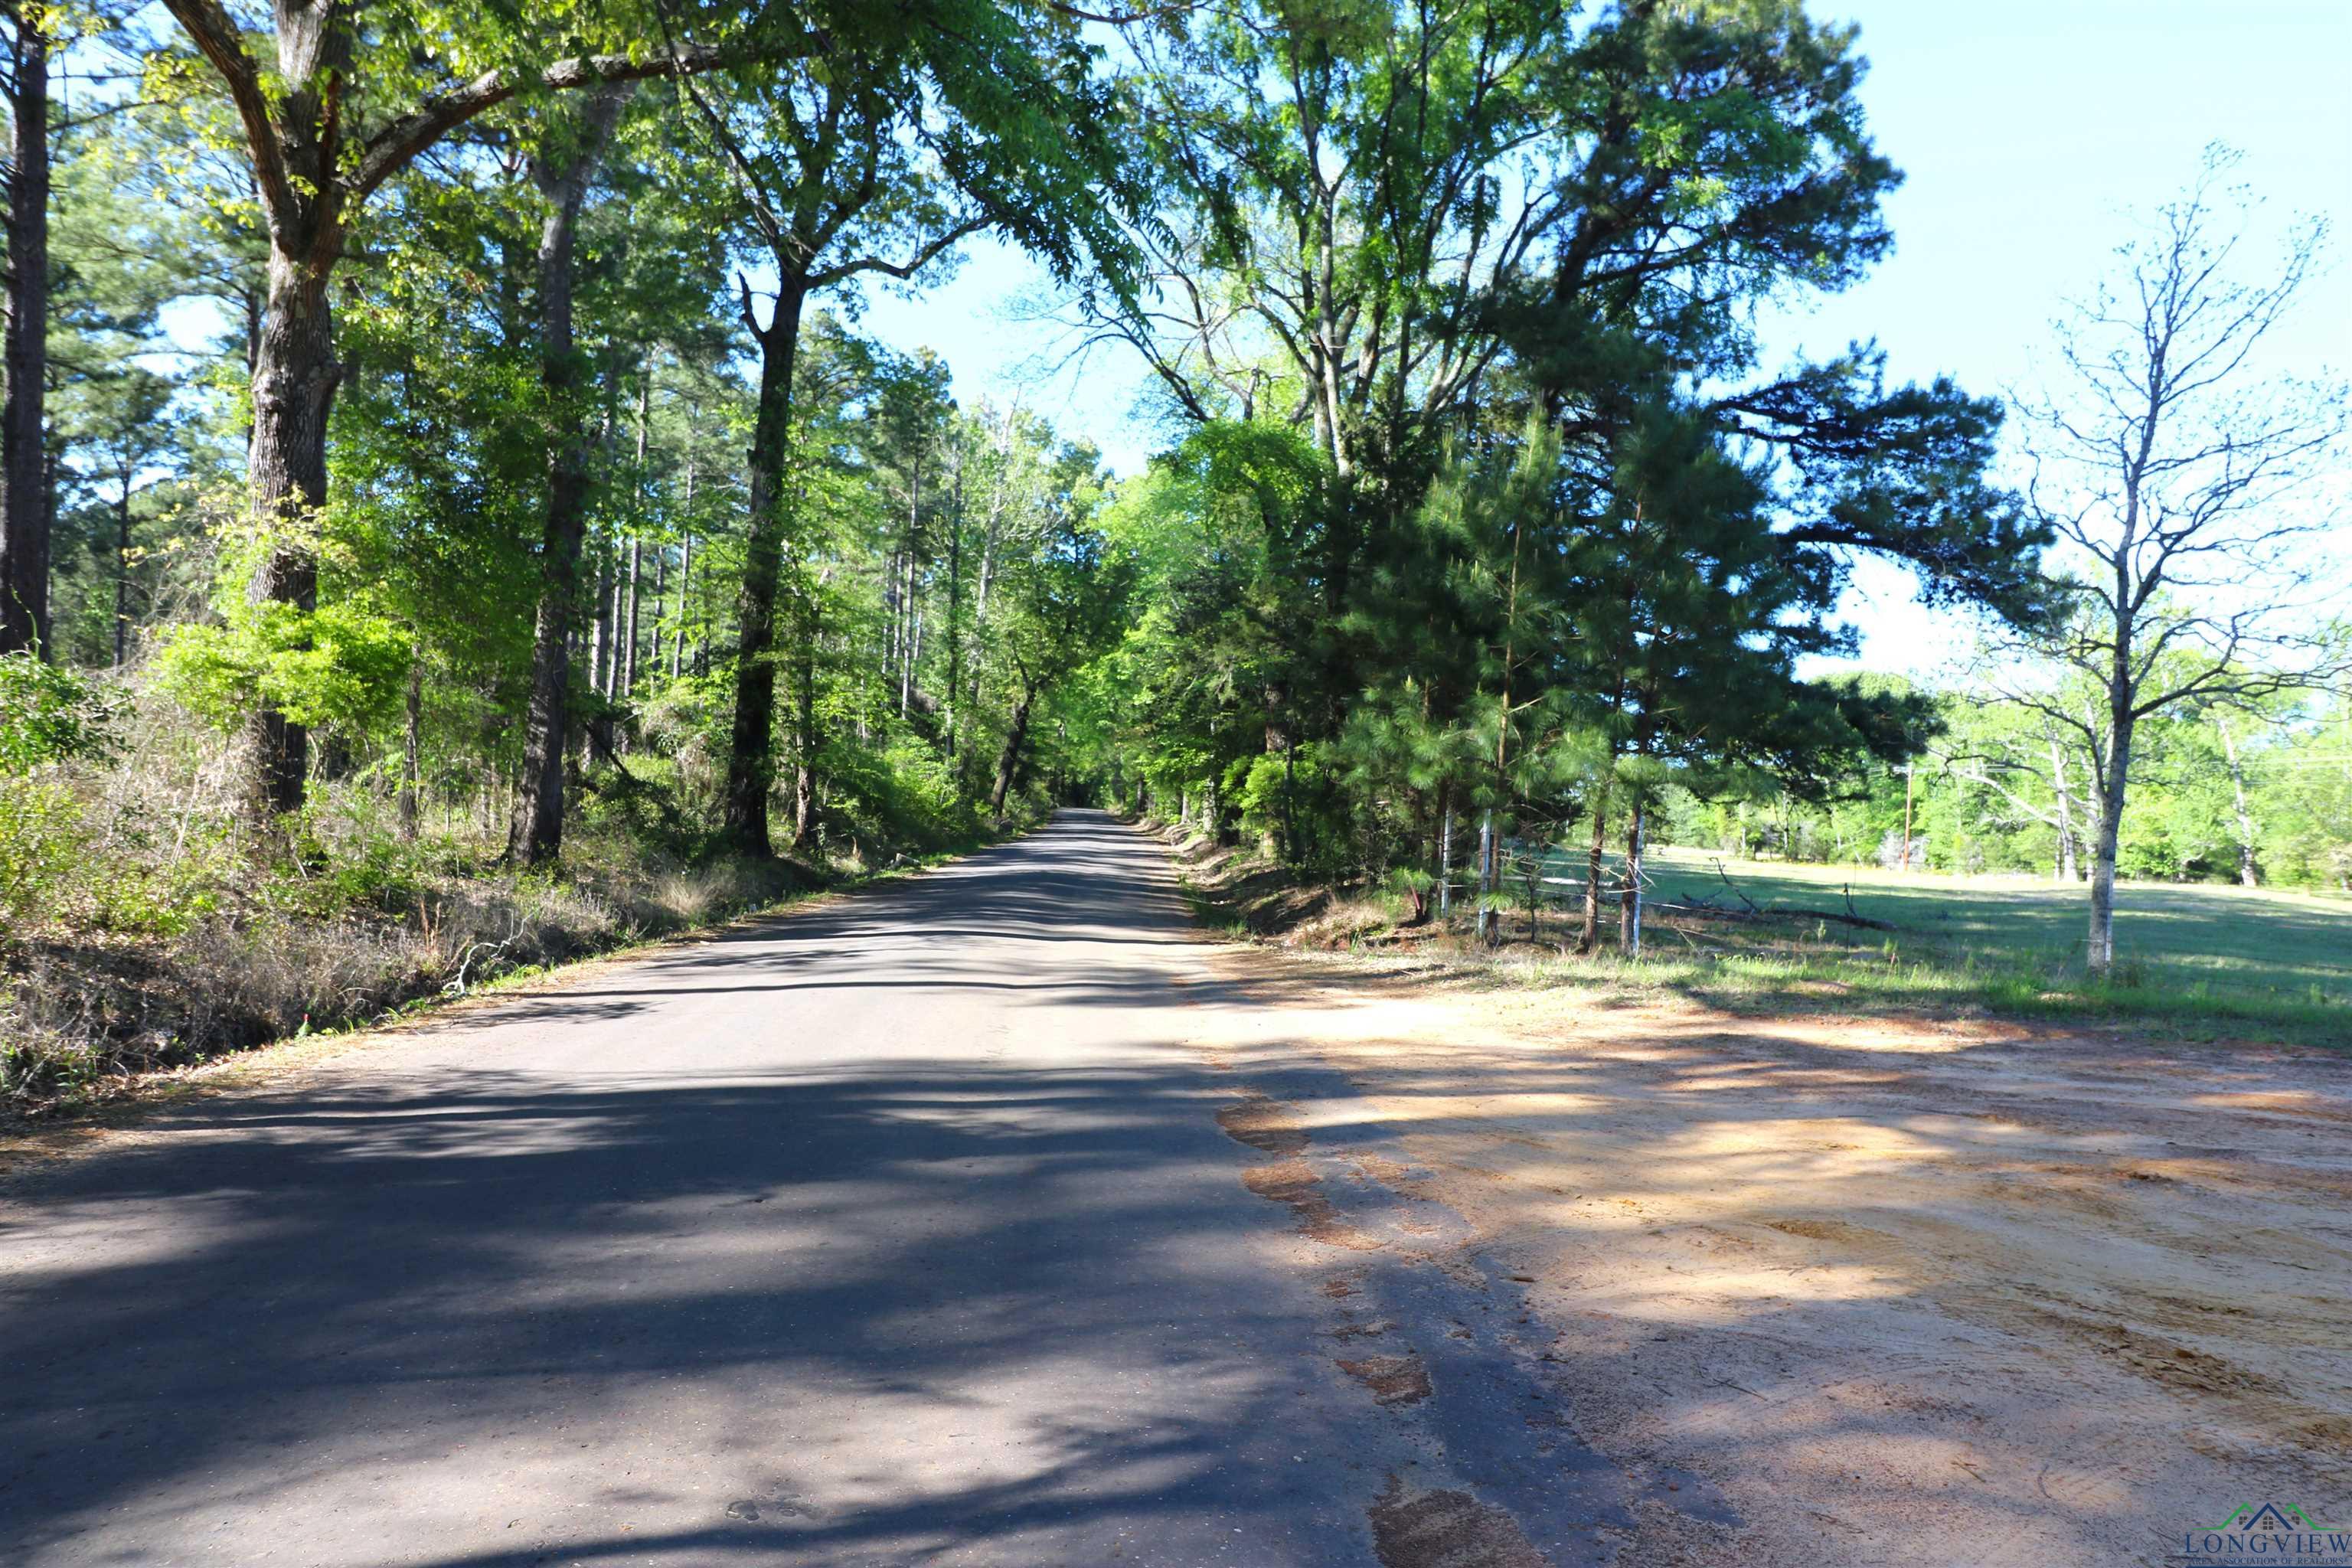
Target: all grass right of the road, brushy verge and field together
2196, 963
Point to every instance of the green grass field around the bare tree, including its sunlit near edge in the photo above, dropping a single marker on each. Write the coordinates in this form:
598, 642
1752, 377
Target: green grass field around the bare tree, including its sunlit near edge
2212, 963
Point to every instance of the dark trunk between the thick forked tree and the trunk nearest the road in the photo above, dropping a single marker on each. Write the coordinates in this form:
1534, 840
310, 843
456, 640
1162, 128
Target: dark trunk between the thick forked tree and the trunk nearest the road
537, 829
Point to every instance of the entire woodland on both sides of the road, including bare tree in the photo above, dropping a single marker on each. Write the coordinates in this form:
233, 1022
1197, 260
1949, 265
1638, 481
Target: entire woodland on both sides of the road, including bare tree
453, 516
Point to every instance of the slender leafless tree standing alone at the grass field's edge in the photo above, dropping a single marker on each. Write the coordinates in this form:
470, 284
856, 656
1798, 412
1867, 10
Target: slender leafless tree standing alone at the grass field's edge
2186, 488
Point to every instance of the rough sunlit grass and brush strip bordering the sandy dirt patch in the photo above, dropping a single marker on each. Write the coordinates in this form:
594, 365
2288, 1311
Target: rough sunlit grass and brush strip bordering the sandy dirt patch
1749, 965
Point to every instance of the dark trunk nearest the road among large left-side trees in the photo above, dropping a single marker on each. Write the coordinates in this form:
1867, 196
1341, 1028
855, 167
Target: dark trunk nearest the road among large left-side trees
751, 756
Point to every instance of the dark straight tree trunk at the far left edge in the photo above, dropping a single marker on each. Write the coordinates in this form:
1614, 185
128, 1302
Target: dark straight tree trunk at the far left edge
25, 483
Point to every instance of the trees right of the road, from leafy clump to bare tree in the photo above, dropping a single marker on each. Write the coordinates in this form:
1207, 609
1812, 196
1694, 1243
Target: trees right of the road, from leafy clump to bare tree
1497, 521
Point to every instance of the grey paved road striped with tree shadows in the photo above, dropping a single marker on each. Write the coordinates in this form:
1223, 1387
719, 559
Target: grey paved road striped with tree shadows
890, 1233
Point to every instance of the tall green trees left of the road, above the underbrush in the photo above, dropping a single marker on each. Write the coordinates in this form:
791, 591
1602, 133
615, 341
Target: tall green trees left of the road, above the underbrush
523, 429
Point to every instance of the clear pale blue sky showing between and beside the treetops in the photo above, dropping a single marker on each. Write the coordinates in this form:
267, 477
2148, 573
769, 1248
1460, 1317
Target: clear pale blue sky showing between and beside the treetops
2029, 130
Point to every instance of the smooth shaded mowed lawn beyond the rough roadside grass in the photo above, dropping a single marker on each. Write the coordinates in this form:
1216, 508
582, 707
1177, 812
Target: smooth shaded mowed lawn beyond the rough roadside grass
2233, 939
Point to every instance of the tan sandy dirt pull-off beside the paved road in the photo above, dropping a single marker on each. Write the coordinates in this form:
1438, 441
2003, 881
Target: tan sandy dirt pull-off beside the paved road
1899, 1292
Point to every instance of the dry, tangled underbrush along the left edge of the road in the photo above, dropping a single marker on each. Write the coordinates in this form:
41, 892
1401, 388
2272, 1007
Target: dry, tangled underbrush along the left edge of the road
145, 927
